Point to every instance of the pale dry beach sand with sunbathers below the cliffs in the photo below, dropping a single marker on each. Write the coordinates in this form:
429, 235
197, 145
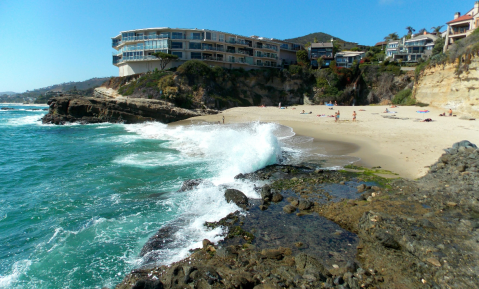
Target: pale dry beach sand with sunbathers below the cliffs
405, 146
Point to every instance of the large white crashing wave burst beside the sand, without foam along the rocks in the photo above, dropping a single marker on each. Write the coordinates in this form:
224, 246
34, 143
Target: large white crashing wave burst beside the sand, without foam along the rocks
230, 149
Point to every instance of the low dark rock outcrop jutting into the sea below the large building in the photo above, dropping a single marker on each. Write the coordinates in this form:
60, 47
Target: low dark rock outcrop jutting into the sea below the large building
72, 108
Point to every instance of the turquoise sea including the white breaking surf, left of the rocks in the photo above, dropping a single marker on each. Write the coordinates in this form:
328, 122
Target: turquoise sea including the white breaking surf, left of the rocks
78, 202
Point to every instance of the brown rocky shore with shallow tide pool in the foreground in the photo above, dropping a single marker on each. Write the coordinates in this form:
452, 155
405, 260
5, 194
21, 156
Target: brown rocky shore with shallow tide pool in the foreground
401, 233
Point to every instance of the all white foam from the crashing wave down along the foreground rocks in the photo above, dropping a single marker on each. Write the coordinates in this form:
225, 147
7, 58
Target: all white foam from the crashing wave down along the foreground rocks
228, 150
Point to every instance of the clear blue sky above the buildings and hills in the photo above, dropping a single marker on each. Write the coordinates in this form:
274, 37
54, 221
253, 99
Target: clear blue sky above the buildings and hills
49, 42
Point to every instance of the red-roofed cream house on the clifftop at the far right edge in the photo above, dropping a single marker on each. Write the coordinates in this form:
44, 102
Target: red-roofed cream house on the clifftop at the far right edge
461, 26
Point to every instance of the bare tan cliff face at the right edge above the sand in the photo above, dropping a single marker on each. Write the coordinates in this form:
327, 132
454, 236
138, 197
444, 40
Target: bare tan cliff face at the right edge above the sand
442, 87
